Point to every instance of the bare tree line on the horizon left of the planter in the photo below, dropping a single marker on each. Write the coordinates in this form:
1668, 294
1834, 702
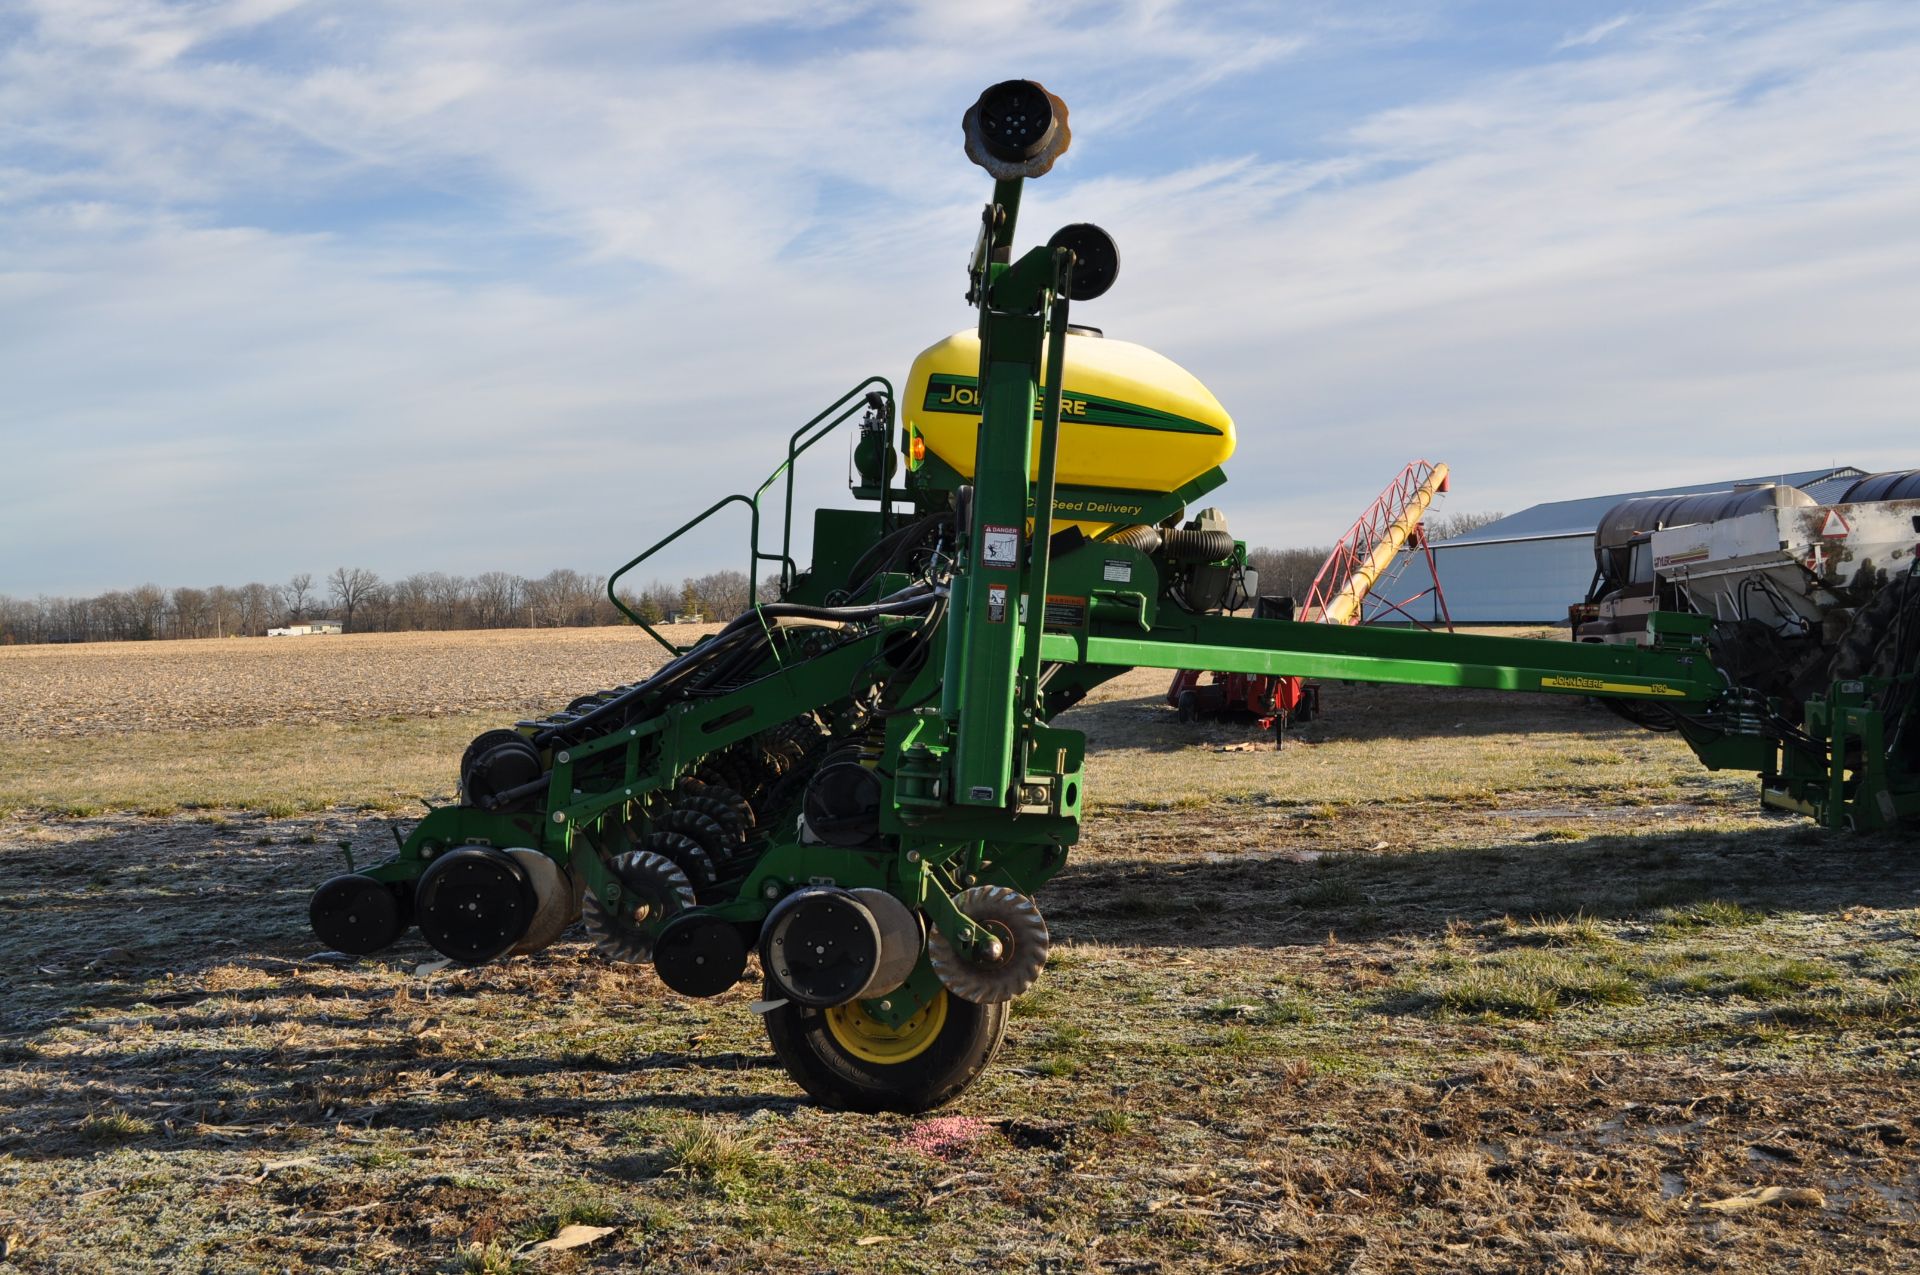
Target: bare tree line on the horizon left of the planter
364, 604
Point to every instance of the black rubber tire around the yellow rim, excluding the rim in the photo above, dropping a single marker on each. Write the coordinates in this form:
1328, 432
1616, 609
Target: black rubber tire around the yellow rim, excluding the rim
834, 1078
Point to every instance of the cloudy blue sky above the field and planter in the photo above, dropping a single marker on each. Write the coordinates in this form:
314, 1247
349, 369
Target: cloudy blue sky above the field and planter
523, 285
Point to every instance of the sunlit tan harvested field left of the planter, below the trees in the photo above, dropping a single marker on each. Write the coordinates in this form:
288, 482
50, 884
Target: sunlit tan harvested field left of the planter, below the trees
283, 725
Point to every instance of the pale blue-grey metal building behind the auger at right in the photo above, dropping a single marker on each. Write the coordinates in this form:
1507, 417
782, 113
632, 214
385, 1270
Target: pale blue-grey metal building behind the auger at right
1529, 567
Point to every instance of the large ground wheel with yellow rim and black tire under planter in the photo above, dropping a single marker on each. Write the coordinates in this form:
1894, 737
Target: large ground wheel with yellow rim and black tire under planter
848, 1059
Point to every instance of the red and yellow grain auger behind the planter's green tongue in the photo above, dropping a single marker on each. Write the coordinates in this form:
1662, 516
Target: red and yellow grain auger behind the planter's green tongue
1353, 587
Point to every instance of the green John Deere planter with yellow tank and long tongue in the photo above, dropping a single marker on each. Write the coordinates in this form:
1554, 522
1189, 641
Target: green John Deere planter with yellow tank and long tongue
863, 786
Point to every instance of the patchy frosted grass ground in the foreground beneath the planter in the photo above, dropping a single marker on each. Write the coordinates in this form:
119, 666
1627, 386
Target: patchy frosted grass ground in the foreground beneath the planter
1393, 1005
